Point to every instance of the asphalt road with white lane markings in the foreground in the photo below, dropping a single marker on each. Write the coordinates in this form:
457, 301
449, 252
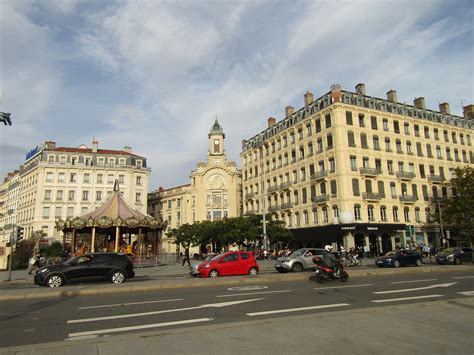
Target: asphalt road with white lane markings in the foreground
78, 318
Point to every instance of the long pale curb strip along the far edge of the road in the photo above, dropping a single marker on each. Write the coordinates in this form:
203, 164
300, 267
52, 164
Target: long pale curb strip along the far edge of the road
188, 283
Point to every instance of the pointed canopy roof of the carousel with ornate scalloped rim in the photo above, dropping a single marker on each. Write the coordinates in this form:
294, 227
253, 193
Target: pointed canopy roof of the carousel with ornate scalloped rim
114, 212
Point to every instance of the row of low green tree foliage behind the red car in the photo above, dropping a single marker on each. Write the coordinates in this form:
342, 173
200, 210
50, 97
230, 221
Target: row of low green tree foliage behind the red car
243, 231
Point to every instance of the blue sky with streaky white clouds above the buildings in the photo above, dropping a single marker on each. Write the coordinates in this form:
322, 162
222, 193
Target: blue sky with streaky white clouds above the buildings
155, 74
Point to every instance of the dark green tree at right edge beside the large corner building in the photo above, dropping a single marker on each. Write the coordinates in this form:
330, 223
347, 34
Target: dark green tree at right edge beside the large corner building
458, 211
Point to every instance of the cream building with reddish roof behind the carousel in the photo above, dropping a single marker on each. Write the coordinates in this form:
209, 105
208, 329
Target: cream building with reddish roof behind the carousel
61, 182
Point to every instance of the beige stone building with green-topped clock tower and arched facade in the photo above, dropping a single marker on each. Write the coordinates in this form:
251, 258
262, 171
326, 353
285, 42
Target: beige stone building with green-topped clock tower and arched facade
214, 192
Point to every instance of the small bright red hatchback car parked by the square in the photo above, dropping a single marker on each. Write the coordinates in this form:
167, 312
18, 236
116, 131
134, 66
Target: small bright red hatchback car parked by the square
231, 263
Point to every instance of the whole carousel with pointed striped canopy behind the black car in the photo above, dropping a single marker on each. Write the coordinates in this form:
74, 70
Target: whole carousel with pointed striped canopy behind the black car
114, 226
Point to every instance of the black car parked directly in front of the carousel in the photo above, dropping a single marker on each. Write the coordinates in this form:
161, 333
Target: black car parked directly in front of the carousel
89, 267
